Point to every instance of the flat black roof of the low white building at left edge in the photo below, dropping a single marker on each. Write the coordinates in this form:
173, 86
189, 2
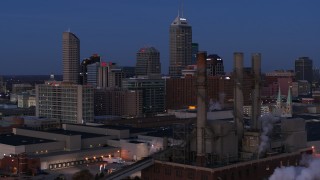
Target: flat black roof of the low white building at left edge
18, 140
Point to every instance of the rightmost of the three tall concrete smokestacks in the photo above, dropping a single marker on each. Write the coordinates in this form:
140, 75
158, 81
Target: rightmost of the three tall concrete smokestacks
256, 102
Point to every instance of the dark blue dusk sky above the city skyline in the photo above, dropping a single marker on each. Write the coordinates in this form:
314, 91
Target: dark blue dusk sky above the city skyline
31, 31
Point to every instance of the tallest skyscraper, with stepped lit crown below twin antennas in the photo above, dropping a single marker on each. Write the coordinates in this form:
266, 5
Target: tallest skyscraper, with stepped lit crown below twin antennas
180, 46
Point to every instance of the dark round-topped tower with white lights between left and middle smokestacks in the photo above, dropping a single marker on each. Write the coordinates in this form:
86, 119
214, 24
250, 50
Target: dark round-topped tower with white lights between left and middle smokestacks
215, 65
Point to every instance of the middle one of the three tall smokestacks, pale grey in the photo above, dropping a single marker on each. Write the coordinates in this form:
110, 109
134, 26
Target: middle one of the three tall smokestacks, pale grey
238, 94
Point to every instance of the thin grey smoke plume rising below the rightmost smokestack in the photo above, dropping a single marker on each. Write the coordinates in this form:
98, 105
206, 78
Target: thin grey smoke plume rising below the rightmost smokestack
267, 122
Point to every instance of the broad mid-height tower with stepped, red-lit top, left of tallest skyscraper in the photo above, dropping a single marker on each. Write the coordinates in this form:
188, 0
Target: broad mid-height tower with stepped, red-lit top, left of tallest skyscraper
148, 62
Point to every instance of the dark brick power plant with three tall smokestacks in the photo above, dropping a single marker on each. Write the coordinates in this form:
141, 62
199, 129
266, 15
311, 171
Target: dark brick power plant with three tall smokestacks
230, 149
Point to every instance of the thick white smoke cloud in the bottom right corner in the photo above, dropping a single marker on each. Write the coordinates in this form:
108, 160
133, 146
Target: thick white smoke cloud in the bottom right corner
308, 170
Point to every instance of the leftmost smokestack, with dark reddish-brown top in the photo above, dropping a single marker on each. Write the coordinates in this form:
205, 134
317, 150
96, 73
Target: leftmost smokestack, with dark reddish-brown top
201, 106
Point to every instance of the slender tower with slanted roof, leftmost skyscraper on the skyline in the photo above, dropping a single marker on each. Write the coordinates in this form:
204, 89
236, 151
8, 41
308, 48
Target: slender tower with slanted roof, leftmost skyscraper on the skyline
70, 57
